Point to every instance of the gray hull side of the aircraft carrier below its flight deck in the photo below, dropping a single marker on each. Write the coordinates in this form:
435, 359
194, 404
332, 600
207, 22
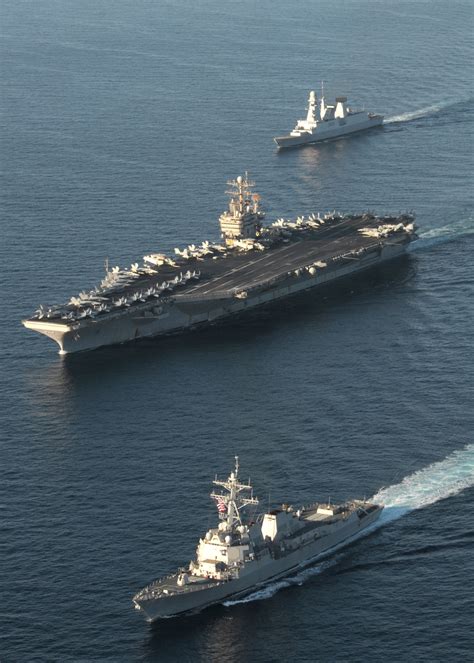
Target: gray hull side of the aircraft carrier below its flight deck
181, 313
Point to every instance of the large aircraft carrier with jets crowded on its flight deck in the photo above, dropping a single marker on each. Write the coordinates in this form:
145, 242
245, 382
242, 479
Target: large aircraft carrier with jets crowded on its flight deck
253, 265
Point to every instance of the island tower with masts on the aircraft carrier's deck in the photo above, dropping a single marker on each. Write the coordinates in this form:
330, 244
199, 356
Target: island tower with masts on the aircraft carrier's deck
243, 220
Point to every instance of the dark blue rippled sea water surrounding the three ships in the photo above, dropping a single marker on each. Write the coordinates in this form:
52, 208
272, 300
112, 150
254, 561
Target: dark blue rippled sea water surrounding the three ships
121, 123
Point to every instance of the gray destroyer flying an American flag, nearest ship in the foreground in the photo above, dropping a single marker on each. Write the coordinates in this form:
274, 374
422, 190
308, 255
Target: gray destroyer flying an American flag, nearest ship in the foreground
242, 554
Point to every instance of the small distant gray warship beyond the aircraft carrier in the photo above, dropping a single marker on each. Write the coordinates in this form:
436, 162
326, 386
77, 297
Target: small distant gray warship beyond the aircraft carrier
327, 121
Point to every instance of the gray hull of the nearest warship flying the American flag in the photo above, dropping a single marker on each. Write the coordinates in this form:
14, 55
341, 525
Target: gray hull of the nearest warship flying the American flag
262, 572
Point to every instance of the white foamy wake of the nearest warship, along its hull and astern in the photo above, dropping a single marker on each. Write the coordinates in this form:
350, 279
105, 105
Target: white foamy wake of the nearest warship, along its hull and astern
417, 491
